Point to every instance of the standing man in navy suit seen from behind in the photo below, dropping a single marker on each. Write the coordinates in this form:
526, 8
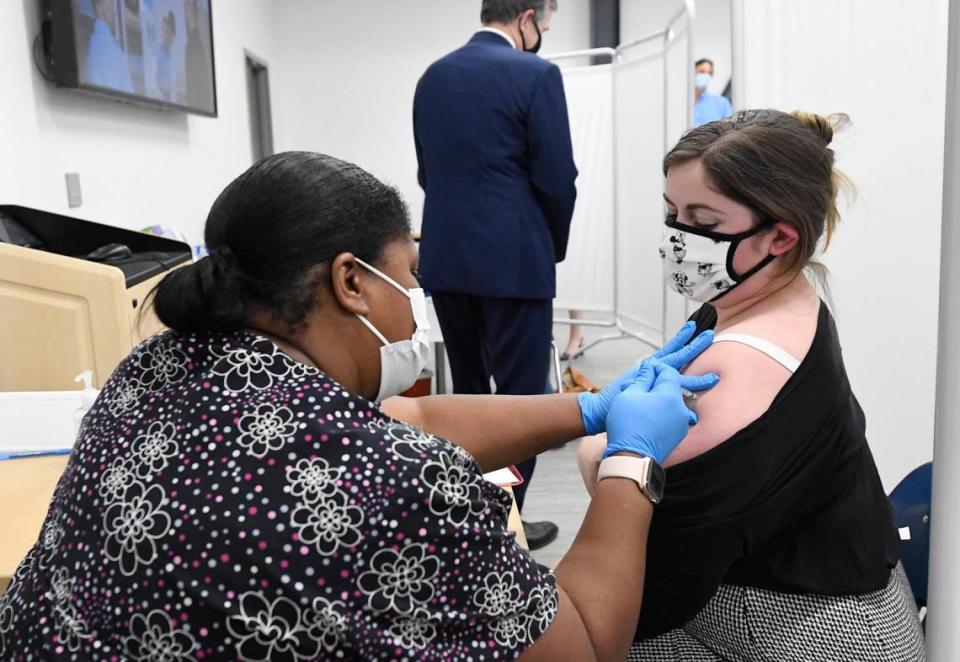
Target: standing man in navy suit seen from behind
496, 164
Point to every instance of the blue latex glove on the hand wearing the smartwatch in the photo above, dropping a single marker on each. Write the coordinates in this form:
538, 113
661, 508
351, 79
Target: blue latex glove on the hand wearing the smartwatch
649, 417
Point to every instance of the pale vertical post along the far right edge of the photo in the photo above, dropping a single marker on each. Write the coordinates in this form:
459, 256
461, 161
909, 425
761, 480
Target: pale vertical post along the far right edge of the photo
943, 636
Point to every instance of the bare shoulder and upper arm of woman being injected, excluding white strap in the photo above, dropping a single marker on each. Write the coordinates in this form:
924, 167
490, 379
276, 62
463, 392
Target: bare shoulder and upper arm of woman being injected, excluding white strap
749, 379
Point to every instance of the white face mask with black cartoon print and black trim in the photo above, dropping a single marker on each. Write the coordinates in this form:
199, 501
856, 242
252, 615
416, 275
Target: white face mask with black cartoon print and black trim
699, 264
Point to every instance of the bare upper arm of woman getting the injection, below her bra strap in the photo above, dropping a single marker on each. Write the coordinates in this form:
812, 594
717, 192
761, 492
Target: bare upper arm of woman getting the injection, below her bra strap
749, 382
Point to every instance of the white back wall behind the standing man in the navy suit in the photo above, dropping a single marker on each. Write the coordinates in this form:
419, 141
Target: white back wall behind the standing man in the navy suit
350, 70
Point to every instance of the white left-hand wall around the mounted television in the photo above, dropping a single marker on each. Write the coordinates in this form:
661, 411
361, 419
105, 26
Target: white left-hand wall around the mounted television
138, 166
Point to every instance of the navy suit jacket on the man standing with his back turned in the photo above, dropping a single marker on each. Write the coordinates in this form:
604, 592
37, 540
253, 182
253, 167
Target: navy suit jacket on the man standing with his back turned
496, 164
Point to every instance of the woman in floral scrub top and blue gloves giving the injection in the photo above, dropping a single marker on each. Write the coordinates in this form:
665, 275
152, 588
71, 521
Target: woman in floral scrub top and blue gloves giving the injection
236, 493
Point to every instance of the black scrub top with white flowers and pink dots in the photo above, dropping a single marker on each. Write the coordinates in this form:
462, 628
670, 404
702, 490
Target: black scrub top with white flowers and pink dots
226, 502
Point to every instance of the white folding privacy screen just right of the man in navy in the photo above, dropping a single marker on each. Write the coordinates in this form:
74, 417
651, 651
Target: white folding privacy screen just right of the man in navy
623, 117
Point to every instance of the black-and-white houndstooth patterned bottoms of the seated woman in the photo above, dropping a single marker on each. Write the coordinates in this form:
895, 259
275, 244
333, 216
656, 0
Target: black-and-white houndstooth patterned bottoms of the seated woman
742, 624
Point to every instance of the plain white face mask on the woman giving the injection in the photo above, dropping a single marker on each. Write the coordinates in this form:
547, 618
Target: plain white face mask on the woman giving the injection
402, 362
